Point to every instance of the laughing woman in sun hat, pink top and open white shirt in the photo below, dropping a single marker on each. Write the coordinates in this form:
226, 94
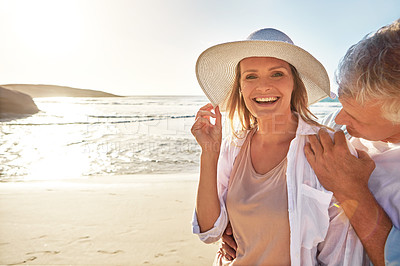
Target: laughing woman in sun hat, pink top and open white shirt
259, 179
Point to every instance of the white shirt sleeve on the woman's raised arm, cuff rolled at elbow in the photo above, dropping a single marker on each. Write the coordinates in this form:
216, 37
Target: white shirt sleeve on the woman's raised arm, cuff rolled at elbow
225, 164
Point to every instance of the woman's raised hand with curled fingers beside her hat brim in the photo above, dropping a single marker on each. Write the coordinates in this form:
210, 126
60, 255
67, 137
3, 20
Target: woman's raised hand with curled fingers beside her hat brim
207, 135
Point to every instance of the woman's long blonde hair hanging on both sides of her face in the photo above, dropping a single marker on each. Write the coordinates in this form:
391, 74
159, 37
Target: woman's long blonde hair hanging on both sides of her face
236, 106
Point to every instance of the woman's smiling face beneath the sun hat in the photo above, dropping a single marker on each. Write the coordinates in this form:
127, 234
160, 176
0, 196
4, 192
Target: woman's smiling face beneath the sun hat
266, 84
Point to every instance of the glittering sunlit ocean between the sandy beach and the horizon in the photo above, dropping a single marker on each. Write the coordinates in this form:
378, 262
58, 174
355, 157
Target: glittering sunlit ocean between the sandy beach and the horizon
75, 137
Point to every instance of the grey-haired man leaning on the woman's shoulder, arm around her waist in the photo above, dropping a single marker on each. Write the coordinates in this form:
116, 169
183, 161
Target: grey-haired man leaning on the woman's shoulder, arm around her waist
368, 189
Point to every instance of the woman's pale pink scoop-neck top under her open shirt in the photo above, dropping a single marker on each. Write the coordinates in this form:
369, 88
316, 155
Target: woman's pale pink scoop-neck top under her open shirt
258, 211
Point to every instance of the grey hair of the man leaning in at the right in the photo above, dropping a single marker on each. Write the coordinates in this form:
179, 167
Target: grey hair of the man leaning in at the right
370, 71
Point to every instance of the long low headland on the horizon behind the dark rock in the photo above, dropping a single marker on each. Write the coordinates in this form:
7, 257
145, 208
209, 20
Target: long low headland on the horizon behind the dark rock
42, 90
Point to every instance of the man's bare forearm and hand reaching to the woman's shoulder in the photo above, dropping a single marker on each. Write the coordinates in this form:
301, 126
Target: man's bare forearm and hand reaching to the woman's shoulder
347, 177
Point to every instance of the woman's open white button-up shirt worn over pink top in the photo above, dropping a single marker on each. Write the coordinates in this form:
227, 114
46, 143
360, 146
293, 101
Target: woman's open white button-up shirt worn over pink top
320, 233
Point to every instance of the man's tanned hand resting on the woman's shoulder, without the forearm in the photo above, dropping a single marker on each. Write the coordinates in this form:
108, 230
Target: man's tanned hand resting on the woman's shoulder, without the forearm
336, 168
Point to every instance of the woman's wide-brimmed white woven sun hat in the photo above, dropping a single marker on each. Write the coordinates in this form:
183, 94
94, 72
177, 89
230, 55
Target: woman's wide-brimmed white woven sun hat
216, 66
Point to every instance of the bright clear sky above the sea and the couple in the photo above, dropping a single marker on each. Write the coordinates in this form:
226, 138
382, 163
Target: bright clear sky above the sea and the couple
149, 47
